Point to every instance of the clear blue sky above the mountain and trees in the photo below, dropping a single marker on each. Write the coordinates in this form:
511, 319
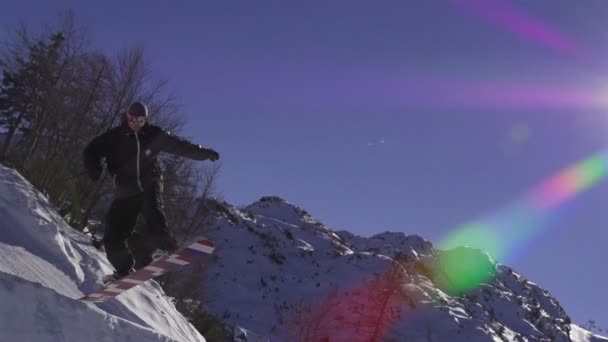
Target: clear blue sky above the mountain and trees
409, 116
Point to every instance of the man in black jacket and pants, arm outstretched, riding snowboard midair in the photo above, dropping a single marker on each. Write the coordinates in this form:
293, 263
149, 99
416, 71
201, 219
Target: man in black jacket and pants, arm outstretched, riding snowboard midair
131, 155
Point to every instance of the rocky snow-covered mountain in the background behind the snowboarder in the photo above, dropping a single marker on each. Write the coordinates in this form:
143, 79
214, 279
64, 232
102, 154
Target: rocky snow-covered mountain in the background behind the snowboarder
273, 261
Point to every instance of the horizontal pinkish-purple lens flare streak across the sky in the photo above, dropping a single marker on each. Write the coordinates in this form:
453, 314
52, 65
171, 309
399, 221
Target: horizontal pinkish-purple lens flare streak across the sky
361, 90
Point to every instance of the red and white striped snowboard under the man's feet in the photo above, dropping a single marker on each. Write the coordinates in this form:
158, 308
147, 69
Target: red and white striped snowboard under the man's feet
179, 259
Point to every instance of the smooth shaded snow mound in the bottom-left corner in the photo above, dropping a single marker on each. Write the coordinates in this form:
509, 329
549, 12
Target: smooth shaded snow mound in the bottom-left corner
40, 314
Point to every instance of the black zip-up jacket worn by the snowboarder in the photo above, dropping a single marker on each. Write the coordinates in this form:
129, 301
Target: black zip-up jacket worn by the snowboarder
132, 159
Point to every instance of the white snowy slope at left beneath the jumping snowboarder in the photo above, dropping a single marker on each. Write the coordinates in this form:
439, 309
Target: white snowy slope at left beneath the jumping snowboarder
45, 266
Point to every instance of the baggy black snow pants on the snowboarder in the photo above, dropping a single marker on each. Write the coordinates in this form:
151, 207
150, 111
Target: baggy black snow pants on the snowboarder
124, 248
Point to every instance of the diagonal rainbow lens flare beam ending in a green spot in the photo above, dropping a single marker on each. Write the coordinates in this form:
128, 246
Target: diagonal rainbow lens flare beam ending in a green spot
502, 233
